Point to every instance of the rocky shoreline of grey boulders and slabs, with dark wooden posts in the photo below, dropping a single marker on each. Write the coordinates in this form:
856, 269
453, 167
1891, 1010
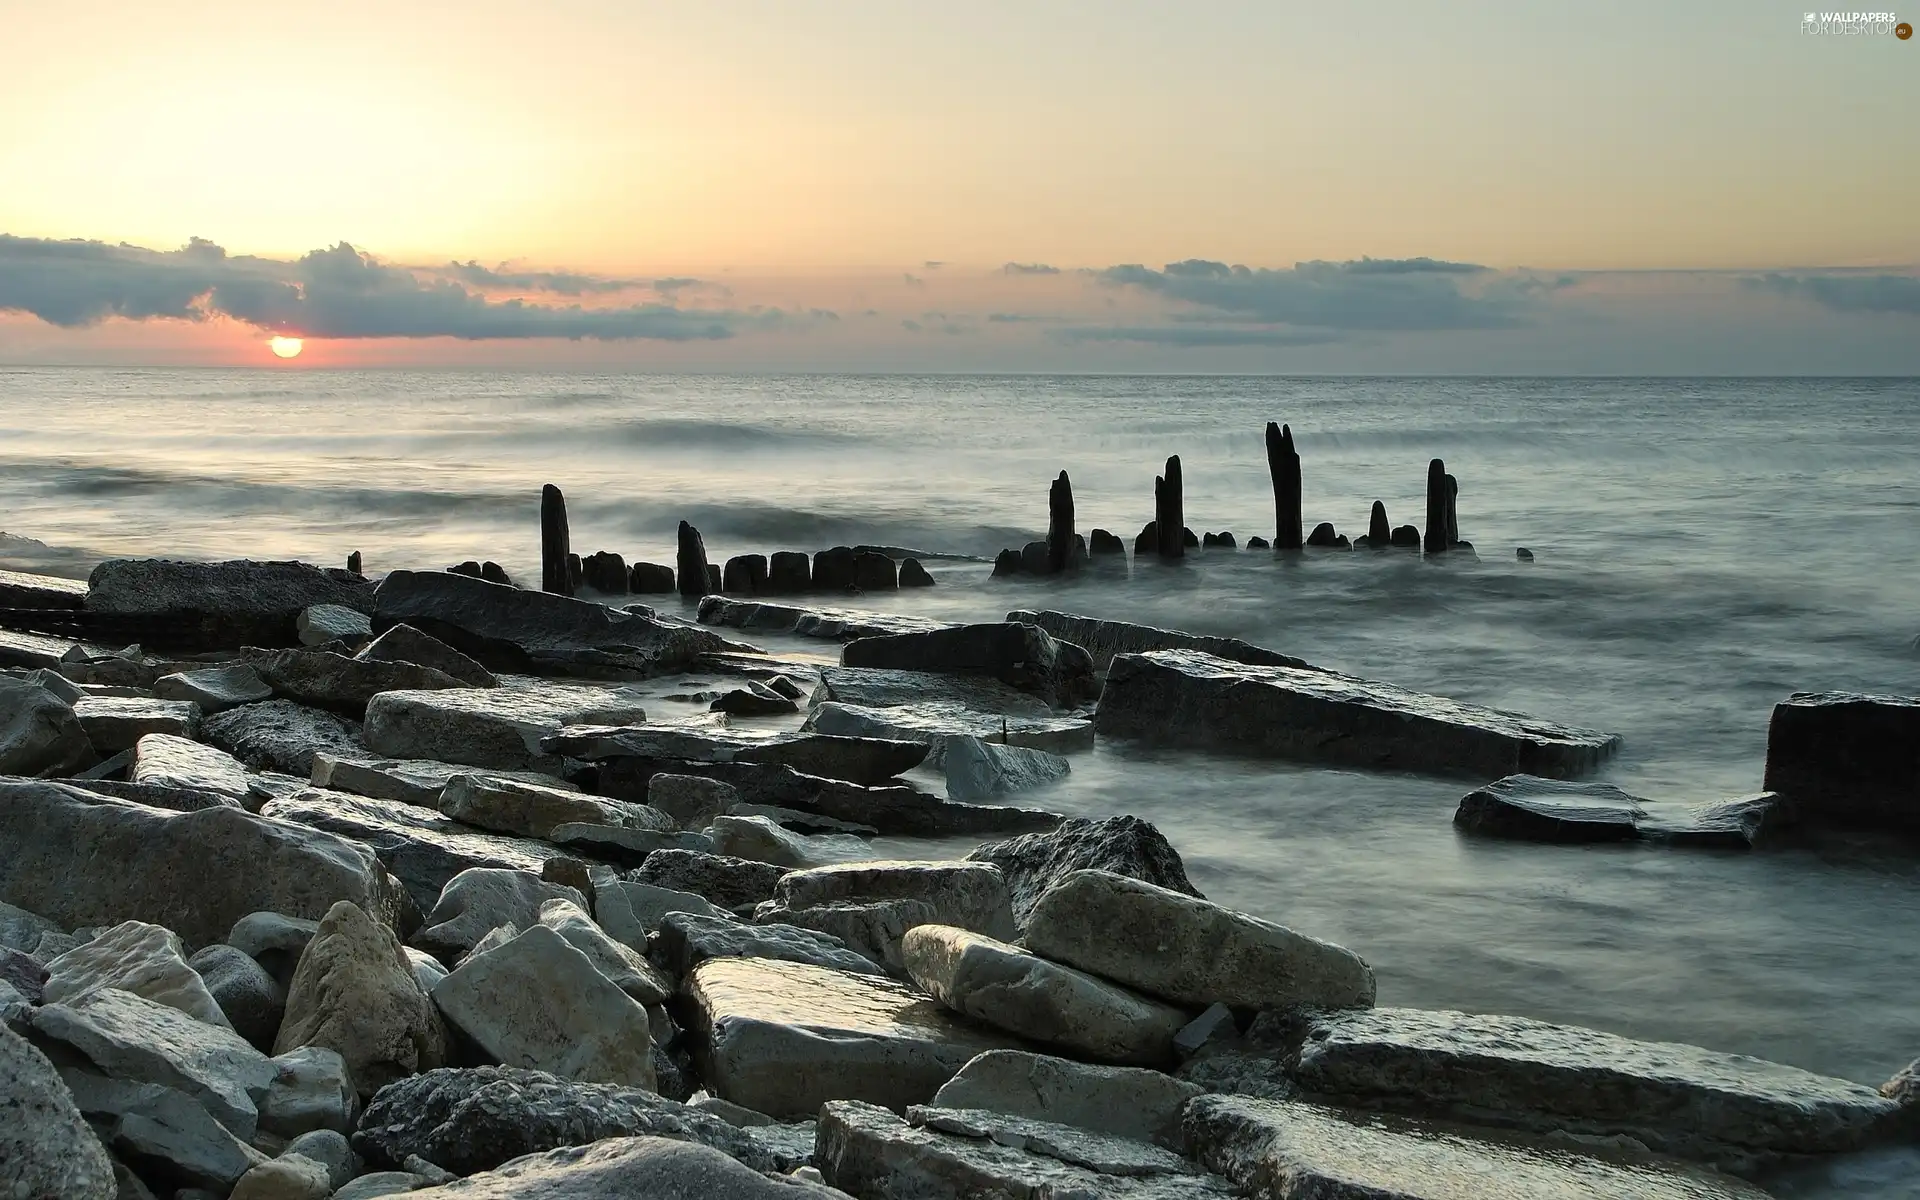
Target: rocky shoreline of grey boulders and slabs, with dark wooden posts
350, 888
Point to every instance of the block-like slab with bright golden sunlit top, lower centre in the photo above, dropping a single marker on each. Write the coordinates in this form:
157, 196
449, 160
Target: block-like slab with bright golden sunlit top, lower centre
784, 1038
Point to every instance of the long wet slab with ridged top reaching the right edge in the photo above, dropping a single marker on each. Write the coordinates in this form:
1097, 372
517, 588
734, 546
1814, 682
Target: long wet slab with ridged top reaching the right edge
1677, 1099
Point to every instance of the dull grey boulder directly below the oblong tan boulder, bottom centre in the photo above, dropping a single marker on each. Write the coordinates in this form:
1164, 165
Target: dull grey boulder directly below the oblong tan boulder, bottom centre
1109, 1099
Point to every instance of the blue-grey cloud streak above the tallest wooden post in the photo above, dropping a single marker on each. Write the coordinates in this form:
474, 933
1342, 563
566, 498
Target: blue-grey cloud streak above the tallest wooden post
1366, 295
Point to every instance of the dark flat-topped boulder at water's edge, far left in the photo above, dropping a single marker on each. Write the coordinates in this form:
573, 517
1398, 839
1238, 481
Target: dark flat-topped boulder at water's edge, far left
235, 604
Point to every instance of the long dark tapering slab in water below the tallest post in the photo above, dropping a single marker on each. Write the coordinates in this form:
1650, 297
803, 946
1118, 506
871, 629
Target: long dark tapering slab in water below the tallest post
1199, 702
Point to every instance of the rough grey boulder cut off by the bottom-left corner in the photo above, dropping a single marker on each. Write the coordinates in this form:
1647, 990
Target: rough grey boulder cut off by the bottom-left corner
47, 1151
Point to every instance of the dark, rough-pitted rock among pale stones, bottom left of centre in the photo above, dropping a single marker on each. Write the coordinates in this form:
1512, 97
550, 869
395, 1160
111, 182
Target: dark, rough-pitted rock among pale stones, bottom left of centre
477, 1118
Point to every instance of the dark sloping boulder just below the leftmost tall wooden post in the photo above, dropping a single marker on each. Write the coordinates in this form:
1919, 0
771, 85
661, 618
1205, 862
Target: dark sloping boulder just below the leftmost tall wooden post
537, 633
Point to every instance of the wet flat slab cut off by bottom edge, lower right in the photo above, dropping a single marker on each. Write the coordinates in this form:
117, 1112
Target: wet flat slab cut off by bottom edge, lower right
1293, 1151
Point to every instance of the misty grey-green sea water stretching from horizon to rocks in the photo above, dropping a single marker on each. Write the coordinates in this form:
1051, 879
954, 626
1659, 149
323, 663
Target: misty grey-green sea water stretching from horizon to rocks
1704, 550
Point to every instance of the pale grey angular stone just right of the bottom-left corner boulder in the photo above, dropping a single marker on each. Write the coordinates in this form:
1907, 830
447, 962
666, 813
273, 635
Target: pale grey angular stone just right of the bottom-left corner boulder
143, 1042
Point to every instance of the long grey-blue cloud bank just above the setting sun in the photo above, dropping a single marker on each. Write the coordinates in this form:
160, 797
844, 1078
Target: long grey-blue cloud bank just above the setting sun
337, 293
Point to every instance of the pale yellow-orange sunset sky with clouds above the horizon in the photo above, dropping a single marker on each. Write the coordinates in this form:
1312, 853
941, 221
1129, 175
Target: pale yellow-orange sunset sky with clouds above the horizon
848, 185
